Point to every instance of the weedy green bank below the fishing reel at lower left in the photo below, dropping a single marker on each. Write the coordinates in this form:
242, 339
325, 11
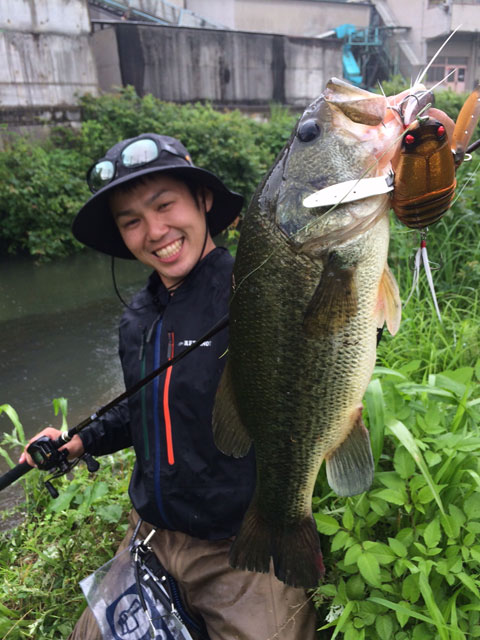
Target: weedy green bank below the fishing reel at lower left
57, 542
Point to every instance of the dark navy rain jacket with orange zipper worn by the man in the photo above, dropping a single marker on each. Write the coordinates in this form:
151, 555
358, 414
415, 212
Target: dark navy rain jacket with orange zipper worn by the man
181, 481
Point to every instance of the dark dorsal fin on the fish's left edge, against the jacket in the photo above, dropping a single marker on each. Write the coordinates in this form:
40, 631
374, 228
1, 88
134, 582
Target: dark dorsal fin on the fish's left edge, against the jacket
229, 432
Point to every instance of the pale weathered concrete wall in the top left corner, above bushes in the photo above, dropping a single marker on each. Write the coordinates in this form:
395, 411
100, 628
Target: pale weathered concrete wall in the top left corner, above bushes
45, 53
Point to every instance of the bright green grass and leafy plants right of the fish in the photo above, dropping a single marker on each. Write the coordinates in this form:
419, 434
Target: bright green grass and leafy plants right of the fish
402, 559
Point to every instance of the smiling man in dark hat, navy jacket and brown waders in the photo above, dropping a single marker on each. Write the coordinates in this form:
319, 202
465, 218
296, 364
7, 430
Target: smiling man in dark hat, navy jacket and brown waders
151, 203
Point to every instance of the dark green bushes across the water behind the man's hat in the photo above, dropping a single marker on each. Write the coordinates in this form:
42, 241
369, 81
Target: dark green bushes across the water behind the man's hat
42, 184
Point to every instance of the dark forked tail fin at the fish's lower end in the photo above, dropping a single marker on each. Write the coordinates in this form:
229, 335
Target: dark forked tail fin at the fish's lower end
295, 549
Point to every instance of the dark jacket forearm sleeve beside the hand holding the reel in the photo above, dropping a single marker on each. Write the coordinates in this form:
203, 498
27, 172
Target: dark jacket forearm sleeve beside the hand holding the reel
109, 433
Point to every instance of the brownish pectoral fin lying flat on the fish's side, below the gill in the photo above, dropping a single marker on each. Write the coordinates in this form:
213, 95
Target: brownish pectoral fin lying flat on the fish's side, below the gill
333, 303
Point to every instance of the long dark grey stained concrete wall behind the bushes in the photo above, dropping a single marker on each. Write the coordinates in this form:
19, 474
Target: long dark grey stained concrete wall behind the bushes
225, 67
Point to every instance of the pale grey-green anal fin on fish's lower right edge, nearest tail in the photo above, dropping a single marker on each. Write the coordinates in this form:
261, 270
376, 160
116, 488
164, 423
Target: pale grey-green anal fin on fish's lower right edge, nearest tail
350, 467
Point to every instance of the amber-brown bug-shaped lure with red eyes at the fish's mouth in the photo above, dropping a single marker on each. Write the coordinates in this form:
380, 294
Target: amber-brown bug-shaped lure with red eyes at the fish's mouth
425, 168
